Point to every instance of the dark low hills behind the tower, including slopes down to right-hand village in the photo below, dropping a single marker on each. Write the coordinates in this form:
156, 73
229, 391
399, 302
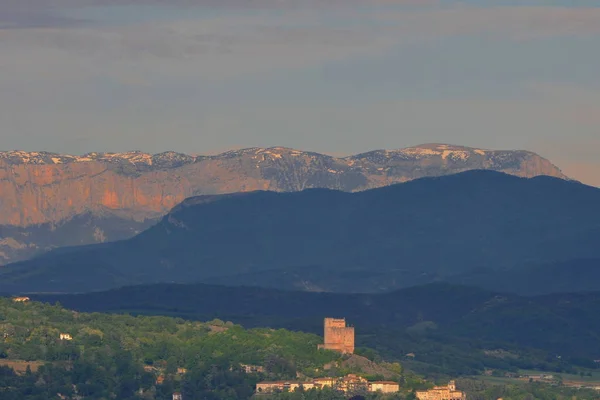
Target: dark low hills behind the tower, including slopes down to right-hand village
454, 329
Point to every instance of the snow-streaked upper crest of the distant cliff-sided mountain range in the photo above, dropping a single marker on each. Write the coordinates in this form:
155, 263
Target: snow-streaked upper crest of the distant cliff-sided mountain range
443, 154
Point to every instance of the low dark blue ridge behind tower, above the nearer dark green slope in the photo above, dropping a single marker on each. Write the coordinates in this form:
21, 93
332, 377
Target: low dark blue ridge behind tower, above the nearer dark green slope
564, 323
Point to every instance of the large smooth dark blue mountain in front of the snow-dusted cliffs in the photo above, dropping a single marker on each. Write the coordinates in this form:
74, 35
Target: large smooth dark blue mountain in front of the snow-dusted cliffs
427, 230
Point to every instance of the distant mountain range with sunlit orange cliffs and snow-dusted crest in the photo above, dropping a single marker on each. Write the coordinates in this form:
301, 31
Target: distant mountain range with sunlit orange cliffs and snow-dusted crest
42, 191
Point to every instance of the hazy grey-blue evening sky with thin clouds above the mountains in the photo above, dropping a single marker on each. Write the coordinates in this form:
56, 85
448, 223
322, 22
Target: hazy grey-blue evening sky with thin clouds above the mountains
334, 76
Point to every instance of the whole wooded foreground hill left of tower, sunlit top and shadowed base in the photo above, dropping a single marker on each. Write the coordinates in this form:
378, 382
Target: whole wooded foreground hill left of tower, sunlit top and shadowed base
102, 356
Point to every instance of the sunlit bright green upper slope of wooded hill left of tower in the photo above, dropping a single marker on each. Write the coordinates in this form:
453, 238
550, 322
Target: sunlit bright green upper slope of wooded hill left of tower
30, 325
